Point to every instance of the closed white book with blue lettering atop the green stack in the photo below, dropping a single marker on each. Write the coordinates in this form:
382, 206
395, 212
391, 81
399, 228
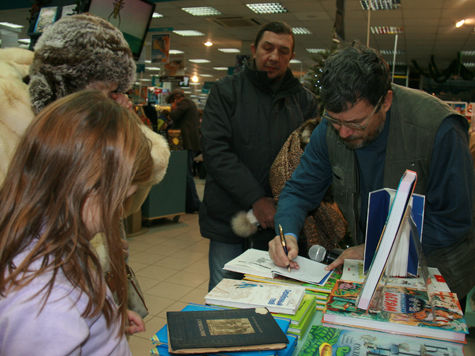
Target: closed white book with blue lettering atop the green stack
245, 294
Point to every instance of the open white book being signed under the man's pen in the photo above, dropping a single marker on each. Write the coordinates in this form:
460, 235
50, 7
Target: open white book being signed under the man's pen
258, 263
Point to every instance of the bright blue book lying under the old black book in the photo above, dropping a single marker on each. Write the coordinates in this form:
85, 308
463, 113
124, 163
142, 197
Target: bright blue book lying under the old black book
160, 338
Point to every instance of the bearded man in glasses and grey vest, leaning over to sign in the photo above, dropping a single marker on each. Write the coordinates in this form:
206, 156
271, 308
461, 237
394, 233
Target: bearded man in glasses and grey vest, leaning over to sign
371, 132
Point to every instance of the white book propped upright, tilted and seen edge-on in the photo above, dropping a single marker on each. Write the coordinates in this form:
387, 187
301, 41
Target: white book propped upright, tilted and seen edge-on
394, 221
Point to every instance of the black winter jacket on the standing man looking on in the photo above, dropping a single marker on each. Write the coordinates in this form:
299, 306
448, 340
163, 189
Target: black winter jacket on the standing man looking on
245, 124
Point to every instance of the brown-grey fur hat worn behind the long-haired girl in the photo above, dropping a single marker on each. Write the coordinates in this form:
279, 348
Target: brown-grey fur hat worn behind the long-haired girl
74, 52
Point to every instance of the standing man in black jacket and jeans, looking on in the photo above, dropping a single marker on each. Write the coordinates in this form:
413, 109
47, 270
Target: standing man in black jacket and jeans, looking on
247, 118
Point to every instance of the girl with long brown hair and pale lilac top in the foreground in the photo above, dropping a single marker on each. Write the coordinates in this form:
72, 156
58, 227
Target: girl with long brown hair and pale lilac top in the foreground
69, 179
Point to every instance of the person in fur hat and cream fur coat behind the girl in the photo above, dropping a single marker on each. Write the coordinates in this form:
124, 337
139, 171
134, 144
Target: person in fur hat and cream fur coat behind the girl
75, 53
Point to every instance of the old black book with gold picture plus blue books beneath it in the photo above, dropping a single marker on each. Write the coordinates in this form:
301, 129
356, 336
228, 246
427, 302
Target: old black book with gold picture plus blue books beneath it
253, 332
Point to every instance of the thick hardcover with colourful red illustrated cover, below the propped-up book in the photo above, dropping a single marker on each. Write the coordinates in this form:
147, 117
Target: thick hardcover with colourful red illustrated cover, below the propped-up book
401, 310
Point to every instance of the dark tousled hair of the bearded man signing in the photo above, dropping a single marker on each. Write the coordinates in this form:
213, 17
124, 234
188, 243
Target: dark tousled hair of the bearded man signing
352, 73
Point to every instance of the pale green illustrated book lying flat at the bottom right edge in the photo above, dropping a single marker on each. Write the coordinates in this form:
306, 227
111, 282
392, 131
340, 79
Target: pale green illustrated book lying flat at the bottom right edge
322, 340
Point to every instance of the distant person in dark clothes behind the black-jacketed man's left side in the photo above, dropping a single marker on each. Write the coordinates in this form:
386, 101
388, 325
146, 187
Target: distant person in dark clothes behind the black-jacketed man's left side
185, 117
